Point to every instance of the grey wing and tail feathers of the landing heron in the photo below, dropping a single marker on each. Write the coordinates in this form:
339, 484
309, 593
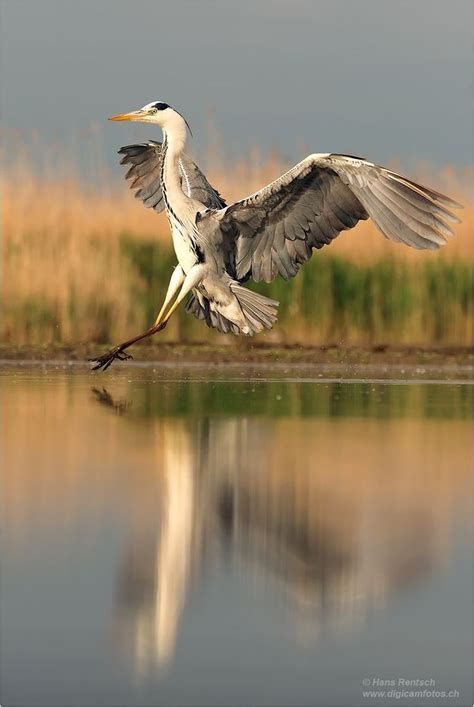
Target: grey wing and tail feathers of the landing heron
274, 231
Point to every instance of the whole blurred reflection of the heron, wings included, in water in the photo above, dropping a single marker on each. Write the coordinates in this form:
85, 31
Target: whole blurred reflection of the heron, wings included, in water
216, 492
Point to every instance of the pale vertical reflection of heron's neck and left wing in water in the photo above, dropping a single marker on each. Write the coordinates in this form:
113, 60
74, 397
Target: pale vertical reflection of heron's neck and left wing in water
167, 553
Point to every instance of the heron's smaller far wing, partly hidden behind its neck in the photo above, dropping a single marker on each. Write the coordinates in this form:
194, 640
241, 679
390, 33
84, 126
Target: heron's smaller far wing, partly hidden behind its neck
144, 175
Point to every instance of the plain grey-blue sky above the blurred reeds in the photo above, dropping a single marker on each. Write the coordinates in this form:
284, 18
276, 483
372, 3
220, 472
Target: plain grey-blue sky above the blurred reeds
375, 78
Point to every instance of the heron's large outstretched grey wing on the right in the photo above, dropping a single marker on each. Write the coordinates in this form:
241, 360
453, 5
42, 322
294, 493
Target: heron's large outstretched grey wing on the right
275, 230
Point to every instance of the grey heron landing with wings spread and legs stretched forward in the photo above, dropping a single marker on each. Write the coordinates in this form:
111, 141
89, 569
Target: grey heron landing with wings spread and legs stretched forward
272, 232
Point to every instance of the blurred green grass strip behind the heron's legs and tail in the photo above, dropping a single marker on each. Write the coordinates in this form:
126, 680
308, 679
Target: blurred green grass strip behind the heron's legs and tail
333, 299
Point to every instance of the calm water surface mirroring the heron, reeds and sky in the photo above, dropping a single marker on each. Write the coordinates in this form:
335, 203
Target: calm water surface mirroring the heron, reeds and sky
216, 538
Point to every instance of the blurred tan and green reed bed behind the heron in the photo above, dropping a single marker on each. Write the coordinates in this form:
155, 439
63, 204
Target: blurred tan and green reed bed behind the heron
89, 263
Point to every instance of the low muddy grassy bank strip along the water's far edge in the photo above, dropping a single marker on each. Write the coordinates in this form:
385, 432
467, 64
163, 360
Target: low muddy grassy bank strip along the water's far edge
402, 361
